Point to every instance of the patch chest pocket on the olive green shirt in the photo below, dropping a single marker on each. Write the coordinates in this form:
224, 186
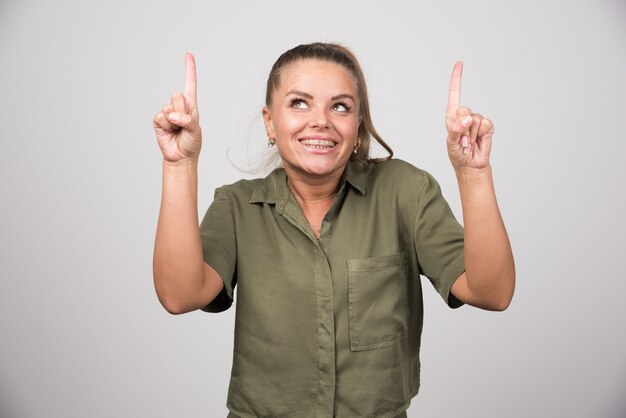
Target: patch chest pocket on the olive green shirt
378, 300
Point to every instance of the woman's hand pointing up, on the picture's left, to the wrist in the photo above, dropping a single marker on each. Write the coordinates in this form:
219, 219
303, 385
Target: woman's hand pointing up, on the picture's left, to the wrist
177, 125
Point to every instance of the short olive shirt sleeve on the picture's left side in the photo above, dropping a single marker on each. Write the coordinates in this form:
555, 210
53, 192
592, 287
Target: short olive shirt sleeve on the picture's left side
217, 232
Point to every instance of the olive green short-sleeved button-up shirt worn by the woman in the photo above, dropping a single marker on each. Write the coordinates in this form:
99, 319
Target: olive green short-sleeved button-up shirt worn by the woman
330, 327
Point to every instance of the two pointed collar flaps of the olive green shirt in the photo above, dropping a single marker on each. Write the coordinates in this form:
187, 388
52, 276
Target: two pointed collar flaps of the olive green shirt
274, 188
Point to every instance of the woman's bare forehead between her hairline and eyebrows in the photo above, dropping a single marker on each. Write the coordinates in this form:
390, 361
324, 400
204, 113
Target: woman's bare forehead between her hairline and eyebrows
311, 74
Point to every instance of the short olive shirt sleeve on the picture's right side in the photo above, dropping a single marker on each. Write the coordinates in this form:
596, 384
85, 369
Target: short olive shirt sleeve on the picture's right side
439, 241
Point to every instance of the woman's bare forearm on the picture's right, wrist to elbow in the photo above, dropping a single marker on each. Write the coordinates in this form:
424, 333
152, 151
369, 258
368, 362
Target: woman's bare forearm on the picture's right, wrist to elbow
489, 262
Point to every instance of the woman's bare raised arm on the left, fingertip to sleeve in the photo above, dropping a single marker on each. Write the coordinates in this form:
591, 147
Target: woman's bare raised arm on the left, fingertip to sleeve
182, 280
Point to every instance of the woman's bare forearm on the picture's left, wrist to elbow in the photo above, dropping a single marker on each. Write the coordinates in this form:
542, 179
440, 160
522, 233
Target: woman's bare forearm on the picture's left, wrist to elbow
178, 263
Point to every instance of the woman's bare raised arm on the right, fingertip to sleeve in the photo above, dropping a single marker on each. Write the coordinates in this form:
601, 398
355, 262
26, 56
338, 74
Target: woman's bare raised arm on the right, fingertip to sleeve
489, 278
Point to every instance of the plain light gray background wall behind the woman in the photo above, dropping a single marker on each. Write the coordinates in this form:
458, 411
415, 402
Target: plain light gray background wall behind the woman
82, 333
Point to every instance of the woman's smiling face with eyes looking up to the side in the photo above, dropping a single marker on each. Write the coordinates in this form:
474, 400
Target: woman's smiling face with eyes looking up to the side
314, 118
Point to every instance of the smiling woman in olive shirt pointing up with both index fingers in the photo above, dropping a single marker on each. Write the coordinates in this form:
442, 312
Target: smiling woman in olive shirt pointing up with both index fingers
327, 251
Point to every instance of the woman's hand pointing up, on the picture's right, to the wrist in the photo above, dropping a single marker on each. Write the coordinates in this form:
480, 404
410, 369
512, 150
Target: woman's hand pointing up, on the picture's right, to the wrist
469, 134
